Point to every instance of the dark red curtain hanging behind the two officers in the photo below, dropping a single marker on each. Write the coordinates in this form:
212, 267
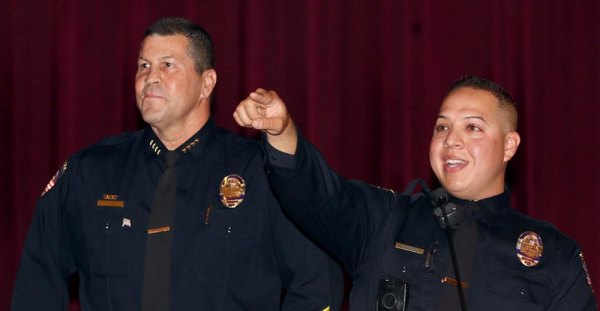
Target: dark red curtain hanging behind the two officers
363, 80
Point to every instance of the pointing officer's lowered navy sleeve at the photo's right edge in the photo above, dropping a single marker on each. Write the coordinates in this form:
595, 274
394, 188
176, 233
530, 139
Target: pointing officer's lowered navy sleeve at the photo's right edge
574, 289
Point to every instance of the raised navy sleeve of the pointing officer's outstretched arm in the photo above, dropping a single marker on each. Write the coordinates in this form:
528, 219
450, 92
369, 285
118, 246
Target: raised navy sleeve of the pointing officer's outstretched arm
340, 214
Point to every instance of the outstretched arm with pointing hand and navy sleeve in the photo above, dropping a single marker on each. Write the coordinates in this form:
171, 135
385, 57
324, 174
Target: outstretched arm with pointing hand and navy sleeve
342, 215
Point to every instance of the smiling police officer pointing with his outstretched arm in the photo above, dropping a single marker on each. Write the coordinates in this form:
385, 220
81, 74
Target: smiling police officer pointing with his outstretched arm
456, 248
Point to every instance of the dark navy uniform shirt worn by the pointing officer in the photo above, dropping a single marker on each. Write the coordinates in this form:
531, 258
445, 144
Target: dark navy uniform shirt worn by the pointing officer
381, 235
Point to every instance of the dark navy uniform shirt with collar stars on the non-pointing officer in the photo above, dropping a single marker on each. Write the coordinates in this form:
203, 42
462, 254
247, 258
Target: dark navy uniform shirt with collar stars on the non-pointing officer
93, 222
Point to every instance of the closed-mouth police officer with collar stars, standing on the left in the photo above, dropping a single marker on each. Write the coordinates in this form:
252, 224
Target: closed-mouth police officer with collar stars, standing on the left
176, 216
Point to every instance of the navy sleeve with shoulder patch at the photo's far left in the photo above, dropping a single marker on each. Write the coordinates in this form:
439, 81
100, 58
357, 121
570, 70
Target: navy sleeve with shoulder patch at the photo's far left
45, 267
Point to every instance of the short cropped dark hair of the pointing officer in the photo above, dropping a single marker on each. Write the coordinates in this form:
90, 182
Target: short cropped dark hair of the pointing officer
504, 99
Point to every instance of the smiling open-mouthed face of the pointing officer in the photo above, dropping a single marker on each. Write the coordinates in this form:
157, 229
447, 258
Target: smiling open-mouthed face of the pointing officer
471, 144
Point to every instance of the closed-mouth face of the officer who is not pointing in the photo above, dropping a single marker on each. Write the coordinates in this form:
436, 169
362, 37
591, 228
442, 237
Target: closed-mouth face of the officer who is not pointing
169, 91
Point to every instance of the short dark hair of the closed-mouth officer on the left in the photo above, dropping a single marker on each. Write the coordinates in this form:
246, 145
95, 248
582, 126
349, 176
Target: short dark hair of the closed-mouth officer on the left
200, 47
